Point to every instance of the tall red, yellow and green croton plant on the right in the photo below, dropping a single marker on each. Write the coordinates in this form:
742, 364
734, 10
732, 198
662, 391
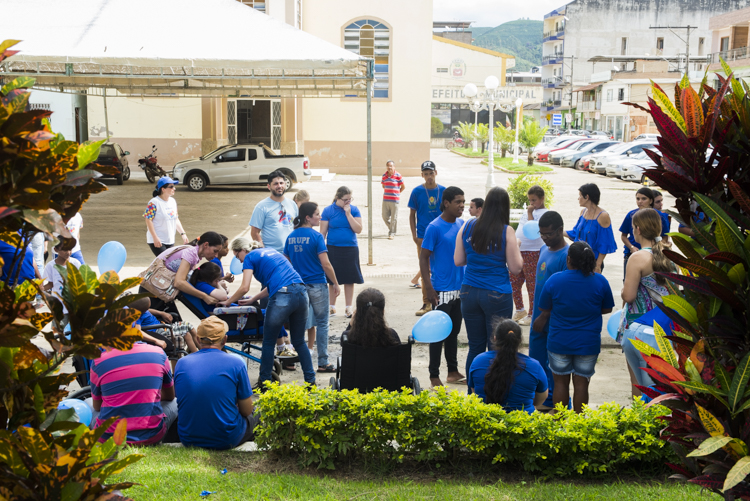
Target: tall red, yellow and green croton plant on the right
703, 160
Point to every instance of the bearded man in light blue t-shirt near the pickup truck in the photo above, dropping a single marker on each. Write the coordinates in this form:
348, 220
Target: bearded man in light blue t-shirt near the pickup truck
272, 218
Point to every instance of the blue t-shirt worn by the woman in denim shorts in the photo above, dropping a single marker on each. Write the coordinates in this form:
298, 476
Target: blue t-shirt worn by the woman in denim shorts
576, 301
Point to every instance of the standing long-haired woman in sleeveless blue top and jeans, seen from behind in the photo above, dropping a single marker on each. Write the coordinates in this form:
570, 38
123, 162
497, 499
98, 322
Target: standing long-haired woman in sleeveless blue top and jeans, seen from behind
487, 246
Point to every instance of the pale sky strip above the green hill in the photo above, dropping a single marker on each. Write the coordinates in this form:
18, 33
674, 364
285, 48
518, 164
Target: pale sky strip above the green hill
492, 12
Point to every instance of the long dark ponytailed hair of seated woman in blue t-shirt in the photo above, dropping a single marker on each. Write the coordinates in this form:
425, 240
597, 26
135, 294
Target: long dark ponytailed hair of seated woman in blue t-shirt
506, 339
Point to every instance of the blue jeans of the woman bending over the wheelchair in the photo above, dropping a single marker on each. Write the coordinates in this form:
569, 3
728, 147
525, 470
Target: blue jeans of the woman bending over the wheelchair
290, 305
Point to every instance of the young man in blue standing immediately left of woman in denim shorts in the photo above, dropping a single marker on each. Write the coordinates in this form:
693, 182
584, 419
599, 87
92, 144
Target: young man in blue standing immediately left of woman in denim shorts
552, 259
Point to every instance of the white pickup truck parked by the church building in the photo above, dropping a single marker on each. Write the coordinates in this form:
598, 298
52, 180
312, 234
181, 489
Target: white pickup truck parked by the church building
240, 164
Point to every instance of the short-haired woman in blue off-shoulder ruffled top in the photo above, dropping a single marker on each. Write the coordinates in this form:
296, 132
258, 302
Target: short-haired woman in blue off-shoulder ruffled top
594, 225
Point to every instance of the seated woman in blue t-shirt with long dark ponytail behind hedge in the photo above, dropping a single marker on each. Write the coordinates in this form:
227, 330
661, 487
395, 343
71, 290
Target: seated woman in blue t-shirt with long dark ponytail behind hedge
504, 376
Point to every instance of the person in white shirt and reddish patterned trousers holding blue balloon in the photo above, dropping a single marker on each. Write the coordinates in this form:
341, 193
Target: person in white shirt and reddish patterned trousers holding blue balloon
530, 253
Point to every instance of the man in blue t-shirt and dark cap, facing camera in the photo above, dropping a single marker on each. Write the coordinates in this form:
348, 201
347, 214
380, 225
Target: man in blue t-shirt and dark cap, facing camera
424, 205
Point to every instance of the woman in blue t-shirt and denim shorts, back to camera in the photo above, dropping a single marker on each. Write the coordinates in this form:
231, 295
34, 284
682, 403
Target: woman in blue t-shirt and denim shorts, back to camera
573, 301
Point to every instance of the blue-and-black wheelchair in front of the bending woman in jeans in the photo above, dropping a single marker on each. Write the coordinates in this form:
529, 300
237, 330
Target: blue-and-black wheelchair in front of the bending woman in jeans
245, 325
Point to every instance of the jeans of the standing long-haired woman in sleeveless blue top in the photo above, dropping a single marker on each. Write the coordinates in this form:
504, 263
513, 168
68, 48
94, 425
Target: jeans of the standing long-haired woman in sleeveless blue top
481, 308
